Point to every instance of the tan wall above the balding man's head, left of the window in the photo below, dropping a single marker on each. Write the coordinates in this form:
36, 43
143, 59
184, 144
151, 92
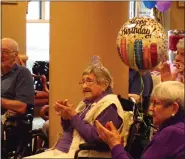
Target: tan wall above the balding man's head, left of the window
14, 24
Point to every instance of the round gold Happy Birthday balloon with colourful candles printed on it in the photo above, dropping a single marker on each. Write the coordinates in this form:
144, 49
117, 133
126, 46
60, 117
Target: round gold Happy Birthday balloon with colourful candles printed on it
141, 43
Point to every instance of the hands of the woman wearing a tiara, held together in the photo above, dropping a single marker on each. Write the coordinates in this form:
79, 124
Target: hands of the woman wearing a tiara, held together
66, 107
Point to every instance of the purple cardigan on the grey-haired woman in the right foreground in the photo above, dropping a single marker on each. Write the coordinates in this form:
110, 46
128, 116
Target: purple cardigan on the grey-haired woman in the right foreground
168, 142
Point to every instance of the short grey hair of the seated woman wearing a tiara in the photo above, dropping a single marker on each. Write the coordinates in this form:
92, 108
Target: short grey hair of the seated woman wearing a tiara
101, 73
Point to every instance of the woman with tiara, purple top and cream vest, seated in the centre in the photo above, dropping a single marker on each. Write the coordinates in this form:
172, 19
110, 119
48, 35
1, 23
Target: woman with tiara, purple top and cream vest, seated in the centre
79, 124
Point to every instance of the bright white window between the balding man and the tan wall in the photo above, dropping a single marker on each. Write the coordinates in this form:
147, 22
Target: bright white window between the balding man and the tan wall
37, 32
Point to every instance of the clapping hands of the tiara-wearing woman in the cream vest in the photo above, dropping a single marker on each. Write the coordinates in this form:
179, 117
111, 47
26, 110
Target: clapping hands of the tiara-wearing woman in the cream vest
65, 109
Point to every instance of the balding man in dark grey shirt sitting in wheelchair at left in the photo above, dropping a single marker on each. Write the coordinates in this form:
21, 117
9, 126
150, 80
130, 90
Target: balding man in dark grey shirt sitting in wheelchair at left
17, 97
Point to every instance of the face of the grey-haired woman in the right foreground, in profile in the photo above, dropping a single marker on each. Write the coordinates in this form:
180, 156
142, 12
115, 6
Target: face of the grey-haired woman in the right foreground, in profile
160, 112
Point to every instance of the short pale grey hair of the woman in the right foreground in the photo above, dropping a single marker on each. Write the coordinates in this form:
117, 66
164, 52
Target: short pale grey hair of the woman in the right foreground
170, 92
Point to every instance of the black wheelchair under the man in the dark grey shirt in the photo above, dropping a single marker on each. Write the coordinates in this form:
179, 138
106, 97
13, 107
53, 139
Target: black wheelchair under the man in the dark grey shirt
16, 129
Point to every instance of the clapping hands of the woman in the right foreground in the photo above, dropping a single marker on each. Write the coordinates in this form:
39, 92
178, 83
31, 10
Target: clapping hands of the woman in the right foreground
109, 134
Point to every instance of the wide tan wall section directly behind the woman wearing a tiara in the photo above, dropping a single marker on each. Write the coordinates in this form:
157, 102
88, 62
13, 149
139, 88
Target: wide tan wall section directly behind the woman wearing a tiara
78, 31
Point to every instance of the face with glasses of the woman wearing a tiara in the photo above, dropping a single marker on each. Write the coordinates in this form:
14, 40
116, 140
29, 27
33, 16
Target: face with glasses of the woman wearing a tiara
91, 89
